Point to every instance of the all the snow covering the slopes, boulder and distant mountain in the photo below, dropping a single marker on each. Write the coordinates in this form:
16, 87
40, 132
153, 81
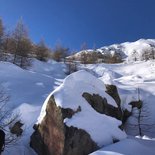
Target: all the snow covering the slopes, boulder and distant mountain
29, 89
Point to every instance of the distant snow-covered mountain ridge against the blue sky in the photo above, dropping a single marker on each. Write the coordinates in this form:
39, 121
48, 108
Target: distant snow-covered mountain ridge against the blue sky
142, 49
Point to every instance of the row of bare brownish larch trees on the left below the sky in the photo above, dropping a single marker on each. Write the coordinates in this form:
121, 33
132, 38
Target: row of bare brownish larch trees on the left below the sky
17, 47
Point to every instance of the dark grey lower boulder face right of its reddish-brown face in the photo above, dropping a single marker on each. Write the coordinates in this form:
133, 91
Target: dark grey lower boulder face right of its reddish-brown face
78, 142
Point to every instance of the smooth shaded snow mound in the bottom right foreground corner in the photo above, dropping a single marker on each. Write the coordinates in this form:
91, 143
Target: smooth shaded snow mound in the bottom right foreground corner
129, 146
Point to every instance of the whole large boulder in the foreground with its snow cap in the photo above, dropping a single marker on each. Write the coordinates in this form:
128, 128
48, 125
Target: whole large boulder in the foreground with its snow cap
77, 118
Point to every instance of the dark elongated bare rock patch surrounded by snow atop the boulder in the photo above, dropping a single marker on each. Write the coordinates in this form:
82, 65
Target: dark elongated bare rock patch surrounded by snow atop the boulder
101, 105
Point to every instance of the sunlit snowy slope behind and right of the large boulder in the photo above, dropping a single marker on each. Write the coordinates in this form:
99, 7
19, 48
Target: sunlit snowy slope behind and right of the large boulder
129, 78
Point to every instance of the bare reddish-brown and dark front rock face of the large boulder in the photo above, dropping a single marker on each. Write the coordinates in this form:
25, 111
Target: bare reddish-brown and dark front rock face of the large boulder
53, 137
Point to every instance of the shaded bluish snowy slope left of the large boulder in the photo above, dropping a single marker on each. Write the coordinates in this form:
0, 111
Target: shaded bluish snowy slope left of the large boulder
27, 90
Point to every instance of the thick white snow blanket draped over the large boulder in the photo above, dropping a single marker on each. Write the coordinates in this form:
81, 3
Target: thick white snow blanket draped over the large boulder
69, 95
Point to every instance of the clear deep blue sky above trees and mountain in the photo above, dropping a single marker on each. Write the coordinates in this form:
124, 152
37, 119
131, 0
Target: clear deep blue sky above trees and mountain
72, 22
